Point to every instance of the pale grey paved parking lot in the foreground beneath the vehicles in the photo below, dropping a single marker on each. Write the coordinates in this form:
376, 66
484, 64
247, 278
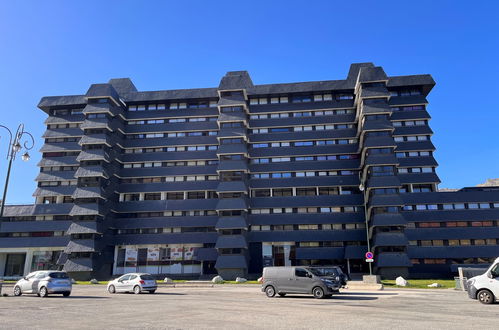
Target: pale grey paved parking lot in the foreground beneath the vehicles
244, 307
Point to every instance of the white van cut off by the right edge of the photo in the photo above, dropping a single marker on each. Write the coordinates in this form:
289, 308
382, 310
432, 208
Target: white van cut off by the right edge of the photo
485, 287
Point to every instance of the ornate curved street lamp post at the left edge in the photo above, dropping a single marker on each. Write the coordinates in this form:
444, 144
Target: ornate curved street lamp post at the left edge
14, 147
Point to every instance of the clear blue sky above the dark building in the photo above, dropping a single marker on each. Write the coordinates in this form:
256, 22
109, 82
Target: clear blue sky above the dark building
61, 47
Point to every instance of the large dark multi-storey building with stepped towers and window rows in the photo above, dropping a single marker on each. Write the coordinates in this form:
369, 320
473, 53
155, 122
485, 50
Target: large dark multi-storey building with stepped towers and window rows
230, 179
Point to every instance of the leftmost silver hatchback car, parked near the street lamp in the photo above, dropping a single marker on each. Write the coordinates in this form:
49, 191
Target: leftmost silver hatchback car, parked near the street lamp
44, 282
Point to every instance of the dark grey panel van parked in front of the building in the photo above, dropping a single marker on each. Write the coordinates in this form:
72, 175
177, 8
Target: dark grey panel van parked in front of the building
295, 279
